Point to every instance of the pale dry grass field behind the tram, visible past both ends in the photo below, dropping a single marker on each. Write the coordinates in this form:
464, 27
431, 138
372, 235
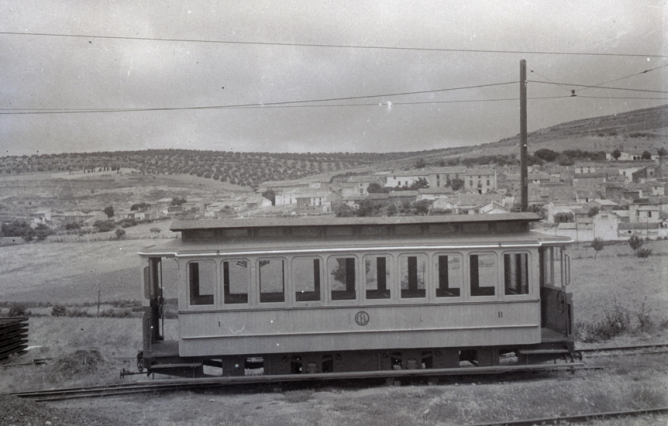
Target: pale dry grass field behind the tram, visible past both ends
73, 272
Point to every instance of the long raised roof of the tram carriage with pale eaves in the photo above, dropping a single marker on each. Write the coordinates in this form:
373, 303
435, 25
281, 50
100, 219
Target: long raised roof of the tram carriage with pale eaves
320, 234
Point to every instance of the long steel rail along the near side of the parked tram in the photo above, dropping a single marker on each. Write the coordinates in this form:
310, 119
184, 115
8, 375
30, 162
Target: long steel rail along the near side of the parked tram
116, 390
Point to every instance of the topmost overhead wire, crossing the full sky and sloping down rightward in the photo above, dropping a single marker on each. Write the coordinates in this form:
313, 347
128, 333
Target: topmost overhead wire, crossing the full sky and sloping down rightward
336, 46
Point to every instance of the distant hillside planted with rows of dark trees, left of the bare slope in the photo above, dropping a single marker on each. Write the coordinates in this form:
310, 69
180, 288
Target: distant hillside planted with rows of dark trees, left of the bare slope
238, 168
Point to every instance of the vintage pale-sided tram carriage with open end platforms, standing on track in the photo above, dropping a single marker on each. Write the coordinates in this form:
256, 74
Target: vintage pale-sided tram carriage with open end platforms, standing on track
327, 295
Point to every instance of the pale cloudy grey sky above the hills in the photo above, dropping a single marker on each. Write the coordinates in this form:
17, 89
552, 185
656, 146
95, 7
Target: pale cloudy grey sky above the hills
172, 59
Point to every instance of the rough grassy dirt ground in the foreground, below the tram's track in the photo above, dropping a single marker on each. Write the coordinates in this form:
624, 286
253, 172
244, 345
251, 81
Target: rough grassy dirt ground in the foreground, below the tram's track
446, 402
